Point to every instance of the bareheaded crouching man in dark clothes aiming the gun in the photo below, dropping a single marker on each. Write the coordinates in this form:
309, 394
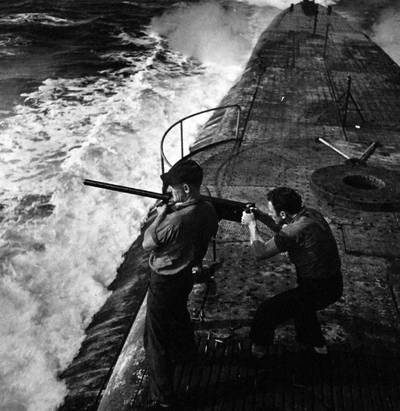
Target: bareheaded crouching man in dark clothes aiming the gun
311, 247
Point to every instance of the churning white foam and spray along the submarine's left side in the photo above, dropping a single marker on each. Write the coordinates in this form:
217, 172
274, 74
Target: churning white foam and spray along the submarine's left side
55, 267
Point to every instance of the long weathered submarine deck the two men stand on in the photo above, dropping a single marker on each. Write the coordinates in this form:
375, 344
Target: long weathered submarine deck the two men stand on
292, 91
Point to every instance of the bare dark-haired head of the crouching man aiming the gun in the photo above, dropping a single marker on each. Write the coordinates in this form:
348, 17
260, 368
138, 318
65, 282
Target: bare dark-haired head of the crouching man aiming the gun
283, 203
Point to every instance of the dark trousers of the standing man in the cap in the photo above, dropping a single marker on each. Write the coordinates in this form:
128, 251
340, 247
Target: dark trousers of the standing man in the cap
168, 331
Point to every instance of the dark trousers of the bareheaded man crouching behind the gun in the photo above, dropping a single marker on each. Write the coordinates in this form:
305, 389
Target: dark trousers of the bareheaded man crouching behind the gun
299, 304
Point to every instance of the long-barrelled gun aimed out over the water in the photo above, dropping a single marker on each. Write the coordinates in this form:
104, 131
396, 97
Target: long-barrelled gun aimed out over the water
226, 209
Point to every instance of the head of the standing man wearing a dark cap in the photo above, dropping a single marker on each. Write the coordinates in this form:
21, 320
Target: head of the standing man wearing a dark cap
183, 180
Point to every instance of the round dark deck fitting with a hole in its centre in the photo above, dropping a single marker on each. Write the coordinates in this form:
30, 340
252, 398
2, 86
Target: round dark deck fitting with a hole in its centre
357, 186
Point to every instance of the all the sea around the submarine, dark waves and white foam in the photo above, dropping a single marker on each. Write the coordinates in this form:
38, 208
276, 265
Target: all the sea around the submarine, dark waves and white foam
87, 89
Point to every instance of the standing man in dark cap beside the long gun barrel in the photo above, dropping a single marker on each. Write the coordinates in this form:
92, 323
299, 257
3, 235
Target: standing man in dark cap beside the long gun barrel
177, 239
